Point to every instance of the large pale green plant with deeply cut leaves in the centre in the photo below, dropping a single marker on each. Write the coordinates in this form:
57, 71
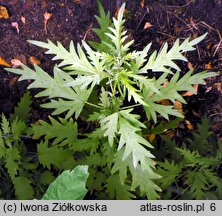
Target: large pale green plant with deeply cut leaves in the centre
119, 158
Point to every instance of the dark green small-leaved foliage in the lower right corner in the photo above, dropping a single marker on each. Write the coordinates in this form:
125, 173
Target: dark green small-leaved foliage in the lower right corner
190, 171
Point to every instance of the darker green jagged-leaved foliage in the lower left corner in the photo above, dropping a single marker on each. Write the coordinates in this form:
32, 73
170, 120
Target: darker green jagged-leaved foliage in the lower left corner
19, 167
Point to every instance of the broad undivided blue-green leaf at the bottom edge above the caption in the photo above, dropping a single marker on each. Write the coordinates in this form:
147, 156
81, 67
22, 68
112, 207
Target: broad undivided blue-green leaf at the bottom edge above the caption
69, 185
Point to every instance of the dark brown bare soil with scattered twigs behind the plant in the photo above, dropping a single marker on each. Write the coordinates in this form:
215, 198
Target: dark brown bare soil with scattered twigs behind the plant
74, 20
